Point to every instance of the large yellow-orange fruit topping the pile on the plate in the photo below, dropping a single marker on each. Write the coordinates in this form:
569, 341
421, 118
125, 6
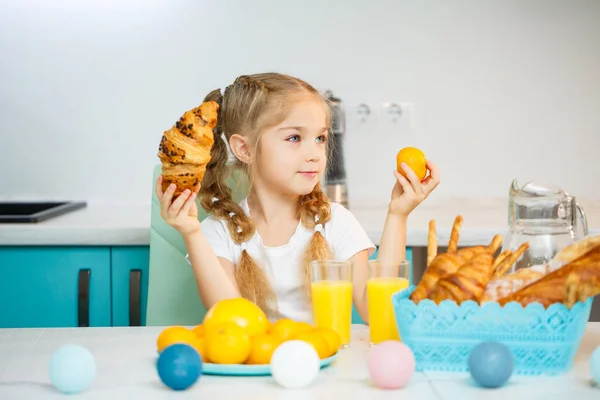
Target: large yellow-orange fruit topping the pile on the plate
240, 311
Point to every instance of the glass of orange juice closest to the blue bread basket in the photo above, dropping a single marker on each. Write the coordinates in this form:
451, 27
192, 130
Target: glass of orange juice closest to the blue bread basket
384, 279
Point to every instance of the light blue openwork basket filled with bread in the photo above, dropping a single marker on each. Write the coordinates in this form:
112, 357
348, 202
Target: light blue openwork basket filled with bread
542, 341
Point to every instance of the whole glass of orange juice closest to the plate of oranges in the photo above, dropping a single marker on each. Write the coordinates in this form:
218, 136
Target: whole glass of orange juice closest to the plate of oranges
331, 289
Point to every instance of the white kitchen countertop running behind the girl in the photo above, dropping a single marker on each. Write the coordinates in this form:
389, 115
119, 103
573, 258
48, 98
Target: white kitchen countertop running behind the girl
119, 224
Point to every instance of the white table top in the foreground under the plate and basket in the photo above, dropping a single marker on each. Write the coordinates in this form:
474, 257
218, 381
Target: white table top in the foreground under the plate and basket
125, 370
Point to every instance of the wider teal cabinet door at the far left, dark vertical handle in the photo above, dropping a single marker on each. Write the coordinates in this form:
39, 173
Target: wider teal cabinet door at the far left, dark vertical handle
54, 287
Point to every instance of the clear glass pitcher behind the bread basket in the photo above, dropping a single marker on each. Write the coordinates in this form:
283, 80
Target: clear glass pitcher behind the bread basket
545, 216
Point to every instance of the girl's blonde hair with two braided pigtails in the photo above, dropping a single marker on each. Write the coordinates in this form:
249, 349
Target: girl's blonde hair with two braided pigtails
248, 106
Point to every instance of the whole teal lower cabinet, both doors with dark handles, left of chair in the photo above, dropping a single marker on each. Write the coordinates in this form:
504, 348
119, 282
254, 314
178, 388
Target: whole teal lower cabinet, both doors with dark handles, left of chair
71, 286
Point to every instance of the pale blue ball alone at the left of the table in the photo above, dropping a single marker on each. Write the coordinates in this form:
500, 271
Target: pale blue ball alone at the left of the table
72, 369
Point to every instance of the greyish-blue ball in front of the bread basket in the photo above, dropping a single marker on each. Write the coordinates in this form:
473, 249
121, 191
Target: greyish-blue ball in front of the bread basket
491, 364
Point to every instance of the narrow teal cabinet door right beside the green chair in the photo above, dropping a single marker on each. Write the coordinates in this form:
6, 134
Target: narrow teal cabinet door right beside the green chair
129, 285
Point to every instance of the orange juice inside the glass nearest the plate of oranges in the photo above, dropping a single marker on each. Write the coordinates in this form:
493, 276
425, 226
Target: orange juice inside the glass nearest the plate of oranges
332, 307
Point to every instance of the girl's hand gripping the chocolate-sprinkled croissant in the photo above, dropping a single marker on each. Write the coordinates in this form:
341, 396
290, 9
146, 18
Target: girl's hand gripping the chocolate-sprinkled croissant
181, 213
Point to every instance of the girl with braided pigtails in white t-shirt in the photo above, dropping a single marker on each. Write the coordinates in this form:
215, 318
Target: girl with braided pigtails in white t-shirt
277, 129
